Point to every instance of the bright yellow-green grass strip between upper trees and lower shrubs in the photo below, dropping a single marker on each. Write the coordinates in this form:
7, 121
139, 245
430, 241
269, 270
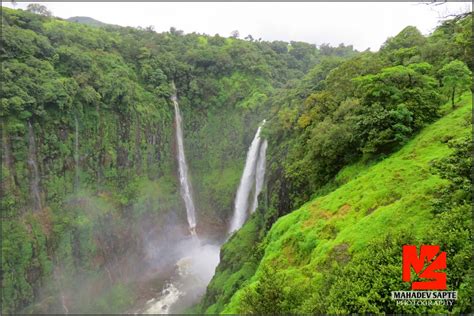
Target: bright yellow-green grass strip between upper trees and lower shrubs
390, 196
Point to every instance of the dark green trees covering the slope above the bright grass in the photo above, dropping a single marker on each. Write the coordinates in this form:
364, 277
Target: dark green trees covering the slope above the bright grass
365, 107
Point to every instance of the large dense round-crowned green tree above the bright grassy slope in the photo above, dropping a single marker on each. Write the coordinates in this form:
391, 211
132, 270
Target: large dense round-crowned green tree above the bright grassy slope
396, 102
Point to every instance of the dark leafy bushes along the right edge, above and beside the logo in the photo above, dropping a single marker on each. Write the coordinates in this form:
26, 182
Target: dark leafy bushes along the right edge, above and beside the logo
453, 216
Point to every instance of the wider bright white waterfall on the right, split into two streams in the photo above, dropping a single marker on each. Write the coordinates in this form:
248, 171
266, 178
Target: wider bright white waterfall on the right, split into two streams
247, 182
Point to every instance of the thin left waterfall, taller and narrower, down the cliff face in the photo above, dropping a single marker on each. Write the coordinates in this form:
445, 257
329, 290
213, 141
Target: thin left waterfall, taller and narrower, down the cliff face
183, 167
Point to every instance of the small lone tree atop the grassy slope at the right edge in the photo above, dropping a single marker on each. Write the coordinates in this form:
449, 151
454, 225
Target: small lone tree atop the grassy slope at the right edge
456, 78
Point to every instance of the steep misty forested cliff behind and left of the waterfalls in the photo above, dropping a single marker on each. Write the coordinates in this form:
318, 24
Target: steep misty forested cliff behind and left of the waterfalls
88, 169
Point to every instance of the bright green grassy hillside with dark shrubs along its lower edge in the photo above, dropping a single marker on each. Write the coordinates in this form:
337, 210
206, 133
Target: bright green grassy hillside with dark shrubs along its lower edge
341, 252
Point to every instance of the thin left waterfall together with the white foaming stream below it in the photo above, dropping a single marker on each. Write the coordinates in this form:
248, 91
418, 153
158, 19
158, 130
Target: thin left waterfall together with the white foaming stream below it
197, 258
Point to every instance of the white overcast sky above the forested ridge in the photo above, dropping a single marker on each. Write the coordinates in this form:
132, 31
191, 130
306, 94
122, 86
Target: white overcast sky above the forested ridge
364, 25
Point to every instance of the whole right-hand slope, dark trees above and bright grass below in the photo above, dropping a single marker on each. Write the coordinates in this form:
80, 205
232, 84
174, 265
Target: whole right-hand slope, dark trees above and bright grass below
335, 123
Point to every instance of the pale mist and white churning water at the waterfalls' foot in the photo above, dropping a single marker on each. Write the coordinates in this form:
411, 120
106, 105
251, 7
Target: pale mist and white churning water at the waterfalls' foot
137, 268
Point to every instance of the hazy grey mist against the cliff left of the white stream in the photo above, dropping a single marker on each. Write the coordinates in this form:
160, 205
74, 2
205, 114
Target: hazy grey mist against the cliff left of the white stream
136, 260
